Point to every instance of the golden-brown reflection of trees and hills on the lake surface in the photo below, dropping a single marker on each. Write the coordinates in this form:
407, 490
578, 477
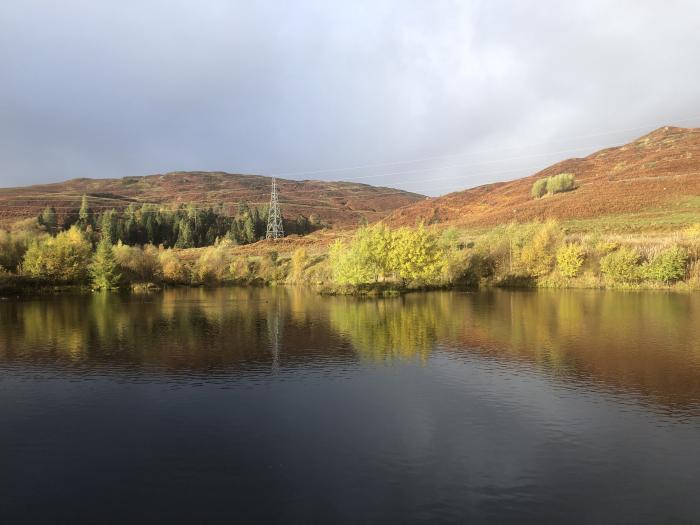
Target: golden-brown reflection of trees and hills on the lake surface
648, 343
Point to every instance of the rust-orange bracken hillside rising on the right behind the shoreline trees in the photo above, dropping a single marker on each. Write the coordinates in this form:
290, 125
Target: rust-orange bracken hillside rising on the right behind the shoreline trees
651, 183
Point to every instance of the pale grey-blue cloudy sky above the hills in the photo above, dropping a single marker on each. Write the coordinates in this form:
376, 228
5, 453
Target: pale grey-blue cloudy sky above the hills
427, 96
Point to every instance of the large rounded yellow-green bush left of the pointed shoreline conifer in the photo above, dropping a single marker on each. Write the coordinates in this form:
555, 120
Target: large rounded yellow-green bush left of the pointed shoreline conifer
63, 259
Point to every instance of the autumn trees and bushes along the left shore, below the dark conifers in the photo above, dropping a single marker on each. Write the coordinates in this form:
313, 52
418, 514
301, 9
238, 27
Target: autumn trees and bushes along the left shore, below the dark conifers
69, 259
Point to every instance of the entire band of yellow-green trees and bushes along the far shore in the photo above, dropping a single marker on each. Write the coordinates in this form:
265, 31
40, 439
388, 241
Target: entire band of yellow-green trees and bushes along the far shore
375, 259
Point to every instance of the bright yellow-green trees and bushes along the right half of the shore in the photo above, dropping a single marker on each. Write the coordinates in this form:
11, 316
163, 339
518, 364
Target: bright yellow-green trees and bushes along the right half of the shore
532, 254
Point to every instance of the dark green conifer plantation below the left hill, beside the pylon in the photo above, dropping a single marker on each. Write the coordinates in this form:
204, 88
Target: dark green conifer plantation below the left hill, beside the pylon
187, 226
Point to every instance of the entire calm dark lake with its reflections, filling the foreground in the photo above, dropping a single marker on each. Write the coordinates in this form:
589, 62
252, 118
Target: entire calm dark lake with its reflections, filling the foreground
239, 405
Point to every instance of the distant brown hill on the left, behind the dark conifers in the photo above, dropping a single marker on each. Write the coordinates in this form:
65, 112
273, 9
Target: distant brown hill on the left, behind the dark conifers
338, 203
